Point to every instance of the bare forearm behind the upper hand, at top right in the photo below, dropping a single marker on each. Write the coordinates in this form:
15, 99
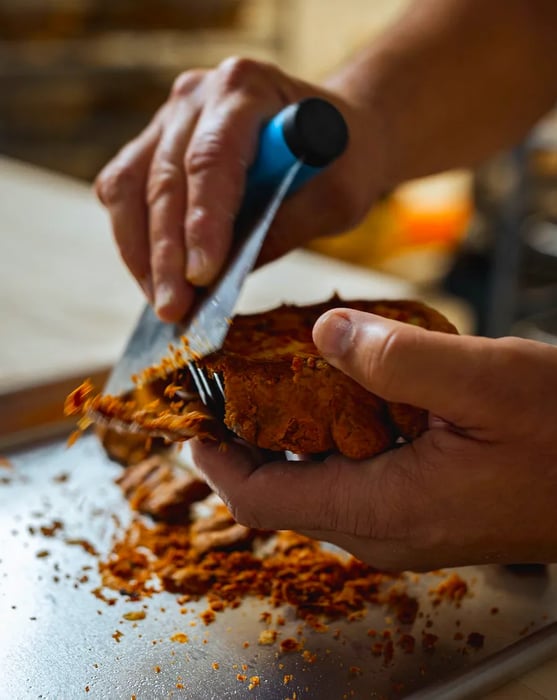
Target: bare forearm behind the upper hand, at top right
455, 80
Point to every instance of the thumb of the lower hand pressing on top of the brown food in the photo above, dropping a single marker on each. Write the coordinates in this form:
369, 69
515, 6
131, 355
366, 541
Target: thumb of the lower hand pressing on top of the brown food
455, 377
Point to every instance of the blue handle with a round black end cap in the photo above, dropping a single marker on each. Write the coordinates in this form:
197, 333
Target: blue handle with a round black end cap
313, 131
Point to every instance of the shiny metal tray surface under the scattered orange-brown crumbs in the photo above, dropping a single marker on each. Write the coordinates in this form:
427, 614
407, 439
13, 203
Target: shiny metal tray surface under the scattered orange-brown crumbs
56, 637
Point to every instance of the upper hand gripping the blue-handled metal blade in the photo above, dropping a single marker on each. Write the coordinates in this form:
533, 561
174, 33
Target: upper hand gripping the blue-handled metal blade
173, 192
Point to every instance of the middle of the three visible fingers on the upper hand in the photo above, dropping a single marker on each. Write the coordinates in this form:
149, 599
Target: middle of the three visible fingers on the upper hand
166, 197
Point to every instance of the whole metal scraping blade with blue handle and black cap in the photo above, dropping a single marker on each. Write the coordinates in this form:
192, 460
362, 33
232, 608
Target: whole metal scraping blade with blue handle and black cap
294, 146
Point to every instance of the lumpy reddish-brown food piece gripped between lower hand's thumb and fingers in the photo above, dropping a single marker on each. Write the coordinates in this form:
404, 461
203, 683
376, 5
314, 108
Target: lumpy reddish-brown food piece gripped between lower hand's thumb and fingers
282, 395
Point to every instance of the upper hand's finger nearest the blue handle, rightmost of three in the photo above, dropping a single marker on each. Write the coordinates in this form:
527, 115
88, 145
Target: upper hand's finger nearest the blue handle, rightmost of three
221, 150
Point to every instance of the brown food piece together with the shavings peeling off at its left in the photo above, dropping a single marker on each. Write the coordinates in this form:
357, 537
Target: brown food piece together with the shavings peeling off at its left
280, 393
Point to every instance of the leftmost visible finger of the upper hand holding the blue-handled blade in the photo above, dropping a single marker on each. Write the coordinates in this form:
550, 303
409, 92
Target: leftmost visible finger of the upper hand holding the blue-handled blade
120, 186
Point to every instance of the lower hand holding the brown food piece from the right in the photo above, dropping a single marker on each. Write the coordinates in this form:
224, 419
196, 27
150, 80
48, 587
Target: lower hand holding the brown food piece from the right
479, 486
